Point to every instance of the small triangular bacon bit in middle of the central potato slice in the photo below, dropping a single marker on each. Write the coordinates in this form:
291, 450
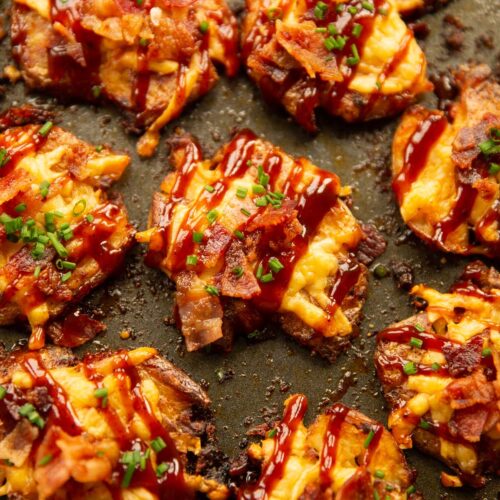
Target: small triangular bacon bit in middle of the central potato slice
245, 286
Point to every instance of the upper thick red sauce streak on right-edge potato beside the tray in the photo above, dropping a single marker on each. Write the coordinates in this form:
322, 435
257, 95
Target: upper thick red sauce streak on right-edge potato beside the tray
417, 152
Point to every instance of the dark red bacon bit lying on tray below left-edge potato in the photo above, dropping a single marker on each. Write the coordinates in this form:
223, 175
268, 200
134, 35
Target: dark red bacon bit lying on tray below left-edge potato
75, 329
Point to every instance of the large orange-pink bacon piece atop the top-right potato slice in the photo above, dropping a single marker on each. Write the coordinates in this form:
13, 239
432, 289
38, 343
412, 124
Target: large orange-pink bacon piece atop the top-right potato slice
307, 46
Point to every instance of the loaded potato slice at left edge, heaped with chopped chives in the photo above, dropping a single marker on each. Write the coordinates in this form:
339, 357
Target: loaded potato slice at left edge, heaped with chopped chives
60, 236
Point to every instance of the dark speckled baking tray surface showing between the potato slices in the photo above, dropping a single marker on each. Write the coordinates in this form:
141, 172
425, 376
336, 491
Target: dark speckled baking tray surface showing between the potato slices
258, 376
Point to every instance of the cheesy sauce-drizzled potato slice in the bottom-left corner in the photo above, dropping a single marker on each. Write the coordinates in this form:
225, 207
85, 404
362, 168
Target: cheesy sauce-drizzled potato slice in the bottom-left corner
72, 428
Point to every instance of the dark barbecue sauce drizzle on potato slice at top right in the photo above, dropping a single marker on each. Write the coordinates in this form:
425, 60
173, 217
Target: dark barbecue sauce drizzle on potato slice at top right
315, 92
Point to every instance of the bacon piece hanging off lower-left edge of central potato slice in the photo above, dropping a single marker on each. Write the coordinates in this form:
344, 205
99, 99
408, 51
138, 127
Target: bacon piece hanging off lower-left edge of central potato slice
200, 314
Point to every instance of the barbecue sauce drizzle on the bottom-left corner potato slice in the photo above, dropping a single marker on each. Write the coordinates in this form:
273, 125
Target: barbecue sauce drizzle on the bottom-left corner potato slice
61, 413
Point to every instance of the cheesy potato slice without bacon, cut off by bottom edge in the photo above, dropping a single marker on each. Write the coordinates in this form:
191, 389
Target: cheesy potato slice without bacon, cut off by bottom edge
343, 455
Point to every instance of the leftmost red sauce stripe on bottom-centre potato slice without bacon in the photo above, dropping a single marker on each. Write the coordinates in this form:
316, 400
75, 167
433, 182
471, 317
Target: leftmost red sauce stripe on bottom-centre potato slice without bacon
273, 471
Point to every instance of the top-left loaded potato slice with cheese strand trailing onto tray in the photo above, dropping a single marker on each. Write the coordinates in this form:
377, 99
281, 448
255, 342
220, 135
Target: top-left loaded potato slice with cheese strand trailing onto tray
151, 57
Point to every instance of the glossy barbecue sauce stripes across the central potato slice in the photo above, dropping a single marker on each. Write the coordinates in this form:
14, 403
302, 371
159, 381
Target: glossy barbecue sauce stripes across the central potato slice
312, 204
